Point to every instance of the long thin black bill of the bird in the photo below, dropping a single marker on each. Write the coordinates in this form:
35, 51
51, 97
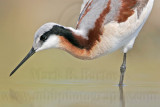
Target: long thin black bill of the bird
31, 52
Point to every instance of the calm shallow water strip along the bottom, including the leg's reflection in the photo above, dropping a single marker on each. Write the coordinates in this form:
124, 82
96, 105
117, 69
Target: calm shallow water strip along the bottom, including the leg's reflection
79, 95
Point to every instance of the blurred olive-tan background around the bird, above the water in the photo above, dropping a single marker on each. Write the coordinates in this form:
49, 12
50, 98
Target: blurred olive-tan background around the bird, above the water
19, 19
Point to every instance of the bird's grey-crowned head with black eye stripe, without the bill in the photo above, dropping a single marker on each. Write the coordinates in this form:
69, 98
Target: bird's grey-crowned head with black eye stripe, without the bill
46, 37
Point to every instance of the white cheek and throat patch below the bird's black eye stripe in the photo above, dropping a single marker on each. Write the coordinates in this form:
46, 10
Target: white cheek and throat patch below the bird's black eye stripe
51, 42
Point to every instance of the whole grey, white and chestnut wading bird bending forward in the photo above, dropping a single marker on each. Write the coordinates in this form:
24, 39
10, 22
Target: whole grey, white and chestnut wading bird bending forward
103, 27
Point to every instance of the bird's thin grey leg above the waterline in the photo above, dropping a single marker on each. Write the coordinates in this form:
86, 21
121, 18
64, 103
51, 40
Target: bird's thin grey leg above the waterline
122, 70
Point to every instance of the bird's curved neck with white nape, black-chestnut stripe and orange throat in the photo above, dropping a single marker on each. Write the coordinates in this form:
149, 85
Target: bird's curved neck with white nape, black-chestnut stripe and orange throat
79, 42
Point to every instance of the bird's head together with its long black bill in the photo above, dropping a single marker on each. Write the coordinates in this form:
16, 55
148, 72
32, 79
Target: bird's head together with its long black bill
47, 36
